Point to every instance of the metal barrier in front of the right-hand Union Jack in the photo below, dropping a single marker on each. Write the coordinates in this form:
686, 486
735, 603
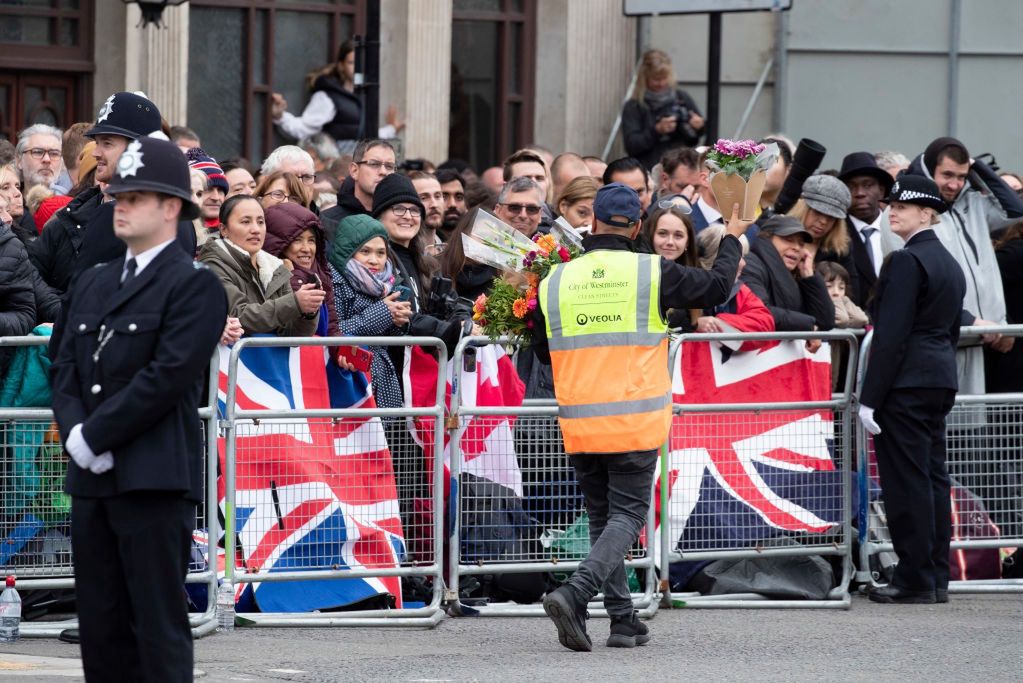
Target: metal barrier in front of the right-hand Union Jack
837, 541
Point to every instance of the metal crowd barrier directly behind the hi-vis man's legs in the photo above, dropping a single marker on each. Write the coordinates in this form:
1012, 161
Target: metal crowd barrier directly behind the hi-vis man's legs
552, 497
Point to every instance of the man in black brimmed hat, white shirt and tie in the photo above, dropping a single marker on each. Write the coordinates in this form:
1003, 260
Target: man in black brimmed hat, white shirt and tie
868, 185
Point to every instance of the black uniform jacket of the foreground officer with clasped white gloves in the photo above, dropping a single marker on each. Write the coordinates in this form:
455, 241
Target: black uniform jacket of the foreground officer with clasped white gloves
129, 367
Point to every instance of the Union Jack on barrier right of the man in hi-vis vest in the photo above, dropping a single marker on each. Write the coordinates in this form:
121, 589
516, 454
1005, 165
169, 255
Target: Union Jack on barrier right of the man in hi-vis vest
740, 478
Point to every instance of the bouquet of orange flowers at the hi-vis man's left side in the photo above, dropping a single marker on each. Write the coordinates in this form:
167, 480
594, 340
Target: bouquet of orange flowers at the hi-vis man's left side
503, 312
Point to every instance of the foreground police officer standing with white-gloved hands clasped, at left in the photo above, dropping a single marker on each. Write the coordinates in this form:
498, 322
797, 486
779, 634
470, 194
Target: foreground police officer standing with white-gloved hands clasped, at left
131, 352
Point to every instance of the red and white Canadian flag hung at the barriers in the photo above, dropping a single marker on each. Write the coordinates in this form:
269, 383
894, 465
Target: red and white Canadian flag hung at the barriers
486, 443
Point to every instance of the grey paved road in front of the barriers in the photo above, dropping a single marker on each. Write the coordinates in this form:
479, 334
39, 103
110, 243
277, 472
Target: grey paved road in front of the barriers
975, 638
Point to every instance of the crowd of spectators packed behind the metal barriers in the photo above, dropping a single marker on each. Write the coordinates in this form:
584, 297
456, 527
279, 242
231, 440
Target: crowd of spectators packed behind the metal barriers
333, 237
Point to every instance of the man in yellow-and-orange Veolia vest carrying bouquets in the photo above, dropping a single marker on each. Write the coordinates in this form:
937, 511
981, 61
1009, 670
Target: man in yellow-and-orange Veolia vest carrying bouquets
605, 333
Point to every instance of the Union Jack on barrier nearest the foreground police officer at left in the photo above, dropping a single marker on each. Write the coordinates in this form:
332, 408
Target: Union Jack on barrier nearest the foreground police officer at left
312, 494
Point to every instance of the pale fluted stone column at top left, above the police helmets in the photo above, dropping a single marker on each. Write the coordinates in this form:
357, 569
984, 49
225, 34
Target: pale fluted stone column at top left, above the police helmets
157, 61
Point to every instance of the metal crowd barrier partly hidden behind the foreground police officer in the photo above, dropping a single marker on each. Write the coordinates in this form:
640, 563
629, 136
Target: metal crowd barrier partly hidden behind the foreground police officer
34, 467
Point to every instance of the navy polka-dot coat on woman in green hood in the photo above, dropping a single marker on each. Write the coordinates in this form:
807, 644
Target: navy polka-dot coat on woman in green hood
362, 315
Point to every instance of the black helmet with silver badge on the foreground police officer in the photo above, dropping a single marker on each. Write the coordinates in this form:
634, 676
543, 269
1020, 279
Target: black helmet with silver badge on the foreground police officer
150, 165
